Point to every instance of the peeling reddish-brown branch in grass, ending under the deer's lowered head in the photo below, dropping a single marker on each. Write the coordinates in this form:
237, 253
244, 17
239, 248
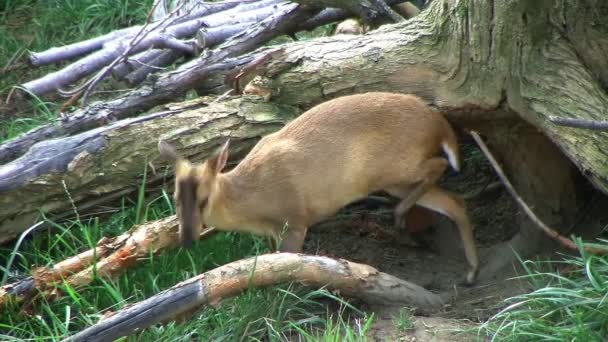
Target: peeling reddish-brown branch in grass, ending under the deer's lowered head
108, 259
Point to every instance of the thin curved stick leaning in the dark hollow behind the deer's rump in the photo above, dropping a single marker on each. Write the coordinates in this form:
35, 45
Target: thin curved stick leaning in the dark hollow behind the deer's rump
552, 233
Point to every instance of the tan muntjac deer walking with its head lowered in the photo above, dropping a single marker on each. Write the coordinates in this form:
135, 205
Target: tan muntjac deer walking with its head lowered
333, 154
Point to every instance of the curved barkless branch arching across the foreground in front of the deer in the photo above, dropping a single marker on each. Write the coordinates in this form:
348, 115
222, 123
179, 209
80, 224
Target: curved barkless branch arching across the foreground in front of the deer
349, 278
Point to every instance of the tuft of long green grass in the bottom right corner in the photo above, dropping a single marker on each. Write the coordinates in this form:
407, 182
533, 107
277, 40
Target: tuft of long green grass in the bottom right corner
563, 307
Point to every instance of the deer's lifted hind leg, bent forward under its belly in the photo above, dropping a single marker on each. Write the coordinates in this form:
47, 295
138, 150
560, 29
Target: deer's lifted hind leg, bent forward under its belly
430, 171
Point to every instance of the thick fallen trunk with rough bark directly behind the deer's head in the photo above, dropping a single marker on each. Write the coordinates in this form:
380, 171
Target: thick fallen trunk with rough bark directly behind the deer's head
94, 165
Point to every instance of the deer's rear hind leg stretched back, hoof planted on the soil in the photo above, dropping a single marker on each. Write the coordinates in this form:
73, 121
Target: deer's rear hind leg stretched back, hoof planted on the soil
453, 206
